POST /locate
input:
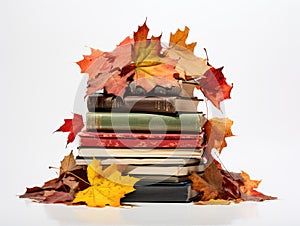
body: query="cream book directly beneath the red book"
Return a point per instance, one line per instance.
(139, 152)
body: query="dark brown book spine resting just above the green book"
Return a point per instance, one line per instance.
(98, 103)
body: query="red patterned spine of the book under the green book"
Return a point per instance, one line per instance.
(131, 143)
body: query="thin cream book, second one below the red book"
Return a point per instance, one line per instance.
(138, 161)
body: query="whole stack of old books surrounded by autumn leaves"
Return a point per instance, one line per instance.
(158, 139)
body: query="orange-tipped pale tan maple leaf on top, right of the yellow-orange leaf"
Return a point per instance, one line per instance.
(187, 64)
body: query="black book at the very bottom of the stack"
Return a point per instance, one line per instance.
(162, 192)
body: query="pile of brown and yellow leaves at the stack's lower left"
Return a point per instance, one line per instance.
(92, 186)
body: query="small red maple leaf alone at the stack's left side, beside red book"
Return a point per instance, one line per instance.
(73, 126)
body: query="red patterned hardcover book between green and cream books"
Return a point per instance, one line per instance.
(102, 139)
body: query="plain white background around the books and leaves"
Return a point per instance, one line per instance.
(256, 41)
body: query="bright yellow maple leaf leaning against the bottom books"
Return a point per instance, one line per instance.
(106, 190)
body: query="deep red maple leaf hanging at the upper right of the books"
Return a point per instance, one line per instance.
(214, 86)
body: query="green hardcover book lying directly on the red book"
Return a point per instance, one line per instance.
(116, 121)
